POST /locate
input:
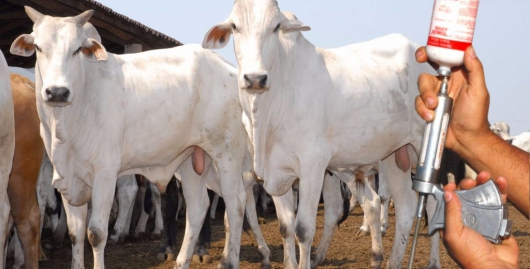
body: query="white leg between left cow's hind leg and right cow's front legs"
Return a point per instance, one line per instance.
(252, 218)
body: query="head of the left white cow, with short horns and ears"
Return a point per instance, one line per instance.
(62, 45)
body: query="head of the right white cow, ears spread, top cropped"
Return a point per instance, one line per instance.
(257, 26)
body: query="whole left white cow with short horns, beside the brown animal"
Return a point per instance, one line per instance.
(105, 115)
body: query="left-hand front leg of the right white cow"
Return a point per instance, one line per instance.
(285, 212)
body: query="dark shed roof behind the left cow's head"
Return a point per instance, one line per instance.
(116, 30)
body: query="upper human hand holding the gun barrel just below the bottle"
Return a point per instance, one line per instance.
(467, 87)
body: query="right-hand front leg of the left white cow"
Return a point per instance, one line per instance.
(97, 231)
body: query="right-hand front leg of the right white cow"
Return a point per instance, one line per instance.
(311, 180)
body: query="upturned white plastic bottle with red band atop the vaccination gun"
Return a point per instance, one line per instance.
(451, 32)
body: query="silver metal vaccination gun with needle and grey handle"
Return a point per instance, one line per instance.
(482, 207)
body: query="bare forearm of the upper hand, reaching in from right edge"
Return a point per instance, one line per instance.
(493, 154)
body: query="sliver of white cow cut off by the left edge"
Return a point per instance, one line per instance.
(7, 149)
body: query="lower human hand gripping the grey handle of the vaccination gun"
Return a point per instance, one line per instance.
(467, 247)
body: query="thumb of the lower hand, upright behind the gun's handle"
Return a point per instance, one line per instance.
(454, 226)
